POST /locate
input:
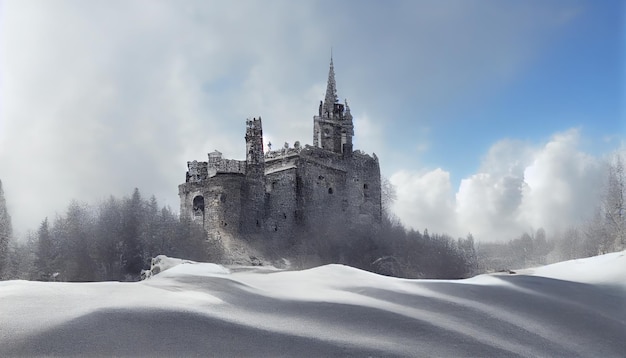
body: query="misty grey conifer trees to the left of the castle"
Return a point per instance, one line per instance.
(113, 240)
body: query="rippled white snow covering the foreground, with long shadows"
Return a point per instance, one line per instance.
(574, 308)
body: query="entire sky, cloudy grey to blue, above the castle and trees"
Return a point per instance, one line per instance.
(490, 117)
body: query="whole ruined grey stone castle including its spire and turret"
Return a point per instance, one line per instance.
(284, 193)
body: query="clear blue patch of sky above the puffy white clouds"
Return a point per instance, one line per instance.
(575, 79)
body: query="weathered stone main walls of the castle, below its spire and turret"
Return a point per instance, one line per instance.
(308, 190)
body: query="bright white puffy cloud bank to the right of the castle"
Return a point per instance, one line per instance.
(519, 188)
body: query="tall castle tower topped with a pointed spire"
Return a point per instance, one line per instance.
(332, 127)
